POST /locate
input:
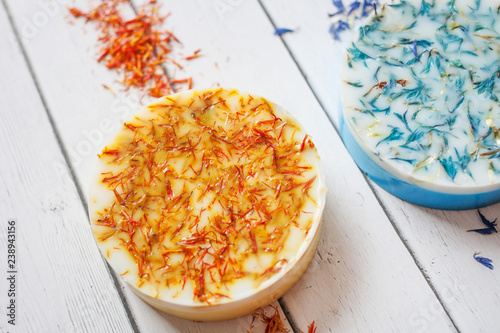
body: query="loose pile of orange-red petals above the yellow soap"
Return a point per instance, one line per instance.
(137, 48)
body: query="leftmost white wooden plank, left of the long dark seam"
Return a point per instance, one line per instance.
(59, 286)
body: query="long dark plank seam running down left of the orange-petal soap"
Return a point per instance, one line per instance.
(123, 298)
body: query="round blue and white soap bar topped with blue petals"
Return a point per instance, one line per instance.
(420, 109)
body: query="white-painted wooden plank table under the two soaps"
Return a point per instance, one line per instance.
(382, 265)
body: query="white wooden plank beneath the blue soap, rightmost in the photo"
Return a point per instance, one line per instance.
(438, 239)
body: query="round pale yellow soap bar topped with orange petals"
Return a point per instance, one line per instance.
(209, 203)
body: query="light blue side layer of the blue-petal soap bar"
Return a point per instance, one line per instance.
(411, 192)
